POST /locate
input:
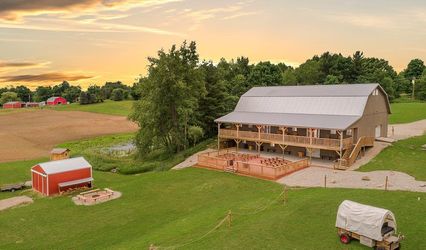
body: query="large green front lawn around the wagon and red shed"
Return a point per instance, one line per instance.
(176, 207)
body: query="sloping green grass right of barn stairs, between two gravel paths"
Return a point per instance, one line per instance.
(406, 156)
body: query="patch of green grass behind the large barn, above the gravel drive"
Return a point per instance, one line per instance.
(407, 112)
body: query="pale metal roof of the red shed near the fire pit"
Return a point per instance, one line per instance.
(53, 167)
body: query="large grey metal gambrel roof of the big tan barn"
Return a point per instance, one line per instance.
(311, 106)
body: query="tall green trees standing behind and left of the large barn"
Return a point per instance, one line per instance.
(181, 95)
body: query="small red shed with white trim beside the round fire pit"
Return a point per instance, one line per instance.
(52, 177)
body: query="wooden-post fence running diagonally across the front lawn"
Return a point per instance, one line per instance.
(228, 218)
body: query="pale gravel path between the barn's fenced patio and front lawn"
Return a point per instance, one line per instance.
(314, 177)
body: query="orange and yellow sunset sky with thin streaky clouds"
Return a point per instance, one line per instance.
(43, 42)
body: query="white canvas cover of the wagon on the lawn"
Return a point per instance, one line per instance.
(362, 219)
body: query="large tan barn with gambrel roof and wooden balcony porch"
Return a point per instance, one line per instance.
(333, 122)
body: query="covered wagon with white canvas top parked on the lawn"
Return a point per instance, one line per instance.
(372, 226)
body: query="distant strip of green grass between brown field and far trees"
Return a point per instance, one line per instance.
(108, 107)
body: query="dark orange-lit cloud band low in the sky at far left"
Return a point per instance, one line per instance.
(46, 77)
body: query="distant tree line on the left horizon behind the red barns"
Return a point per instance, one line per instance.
(116, 91)
